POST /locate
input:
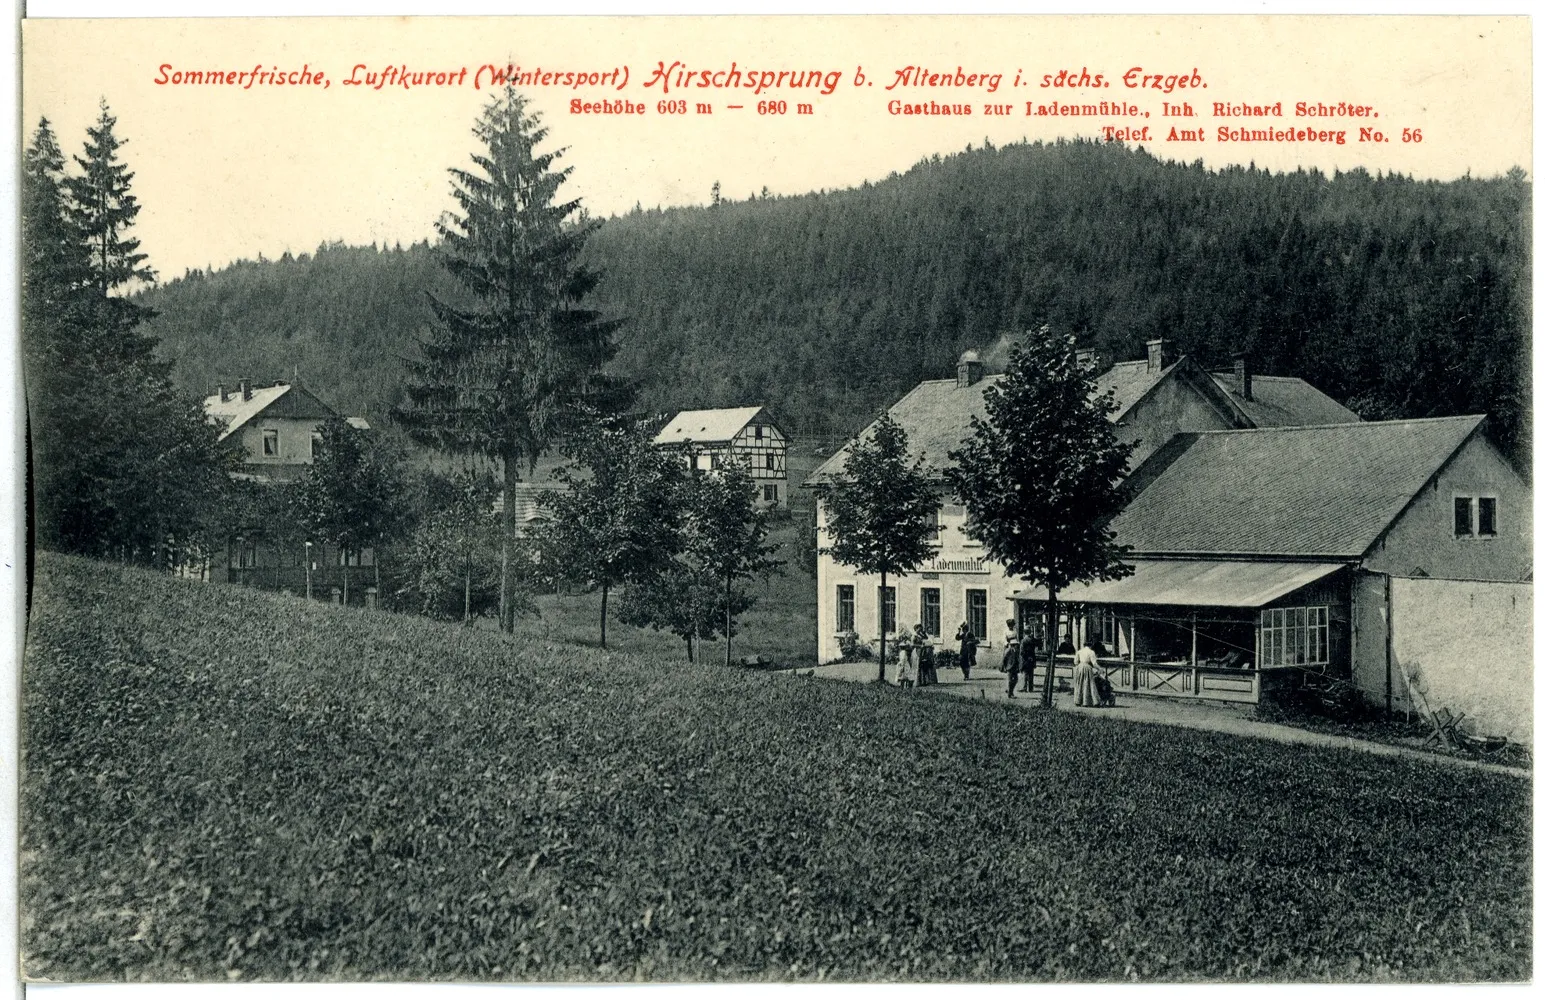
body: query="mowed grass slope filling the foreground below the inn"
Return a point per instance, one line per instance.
(225, 784)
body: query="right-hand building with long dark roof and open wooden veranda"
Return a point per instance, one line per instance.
(1274, 557)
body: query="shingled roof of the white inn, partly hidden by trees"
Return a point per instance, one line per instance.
(937, 415)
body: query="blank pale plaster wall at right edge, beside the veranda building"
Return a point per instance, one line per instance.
(1469, 647)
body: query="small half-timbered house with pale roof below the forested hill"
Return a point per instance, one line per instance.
(749, 435)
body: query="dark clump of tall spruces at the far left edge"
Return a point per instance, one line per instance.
(121, 461)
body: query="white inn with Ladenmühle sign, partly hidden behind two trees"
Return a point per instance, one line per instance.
(1156, 398)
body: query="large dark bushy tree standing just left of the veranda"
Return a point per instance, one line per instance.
(1042, 477)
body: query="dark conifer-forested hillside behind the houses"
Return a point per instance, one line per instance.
(1397, 298)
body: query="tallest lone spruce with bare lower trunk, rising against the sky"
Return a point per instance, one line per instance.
(520, 367)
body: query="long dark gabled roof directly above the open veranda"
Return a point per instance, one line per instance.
(1326, 492)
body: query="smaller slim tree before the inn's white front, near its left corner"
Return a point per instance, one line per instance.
(880, 511)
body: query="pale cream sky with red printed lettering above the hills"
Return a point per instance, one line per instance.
(229, 172)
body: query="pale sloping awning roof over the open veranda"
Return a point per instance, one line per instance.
(1194, 583)
